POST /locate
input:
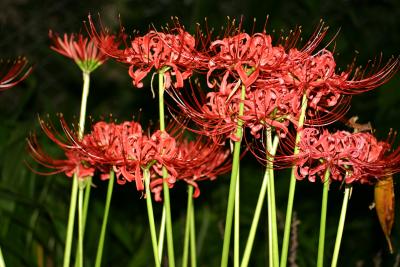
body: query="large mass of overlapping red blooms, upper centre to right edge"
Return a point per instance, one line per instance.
(275, 79)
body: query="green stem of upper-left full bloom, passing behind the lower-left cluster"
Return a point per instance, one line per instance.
(167, 205)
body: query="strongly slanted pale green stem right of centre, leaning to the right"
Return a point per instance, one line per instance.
(257, 212)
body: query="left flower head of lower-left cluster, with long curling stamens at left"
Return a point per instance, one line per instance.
(121, 147)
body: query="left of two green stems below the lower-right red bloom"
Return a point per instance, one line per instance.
(321, 242)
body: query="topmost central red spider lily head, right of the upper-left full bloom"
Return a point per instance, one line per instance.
(244, 57)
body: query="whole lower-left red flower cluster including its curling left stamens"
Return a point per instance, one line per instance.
(127, 150)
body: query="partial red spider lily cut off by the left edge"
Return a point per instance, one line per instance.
(13, 72)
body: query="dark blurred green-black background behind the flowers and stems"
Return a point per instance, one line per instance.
(33, 209)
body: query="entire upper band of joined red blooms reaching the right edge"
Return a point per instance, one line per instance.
(275, 76)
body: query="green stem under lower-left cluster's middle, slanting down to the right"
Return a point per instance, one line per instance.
(150, 213)
